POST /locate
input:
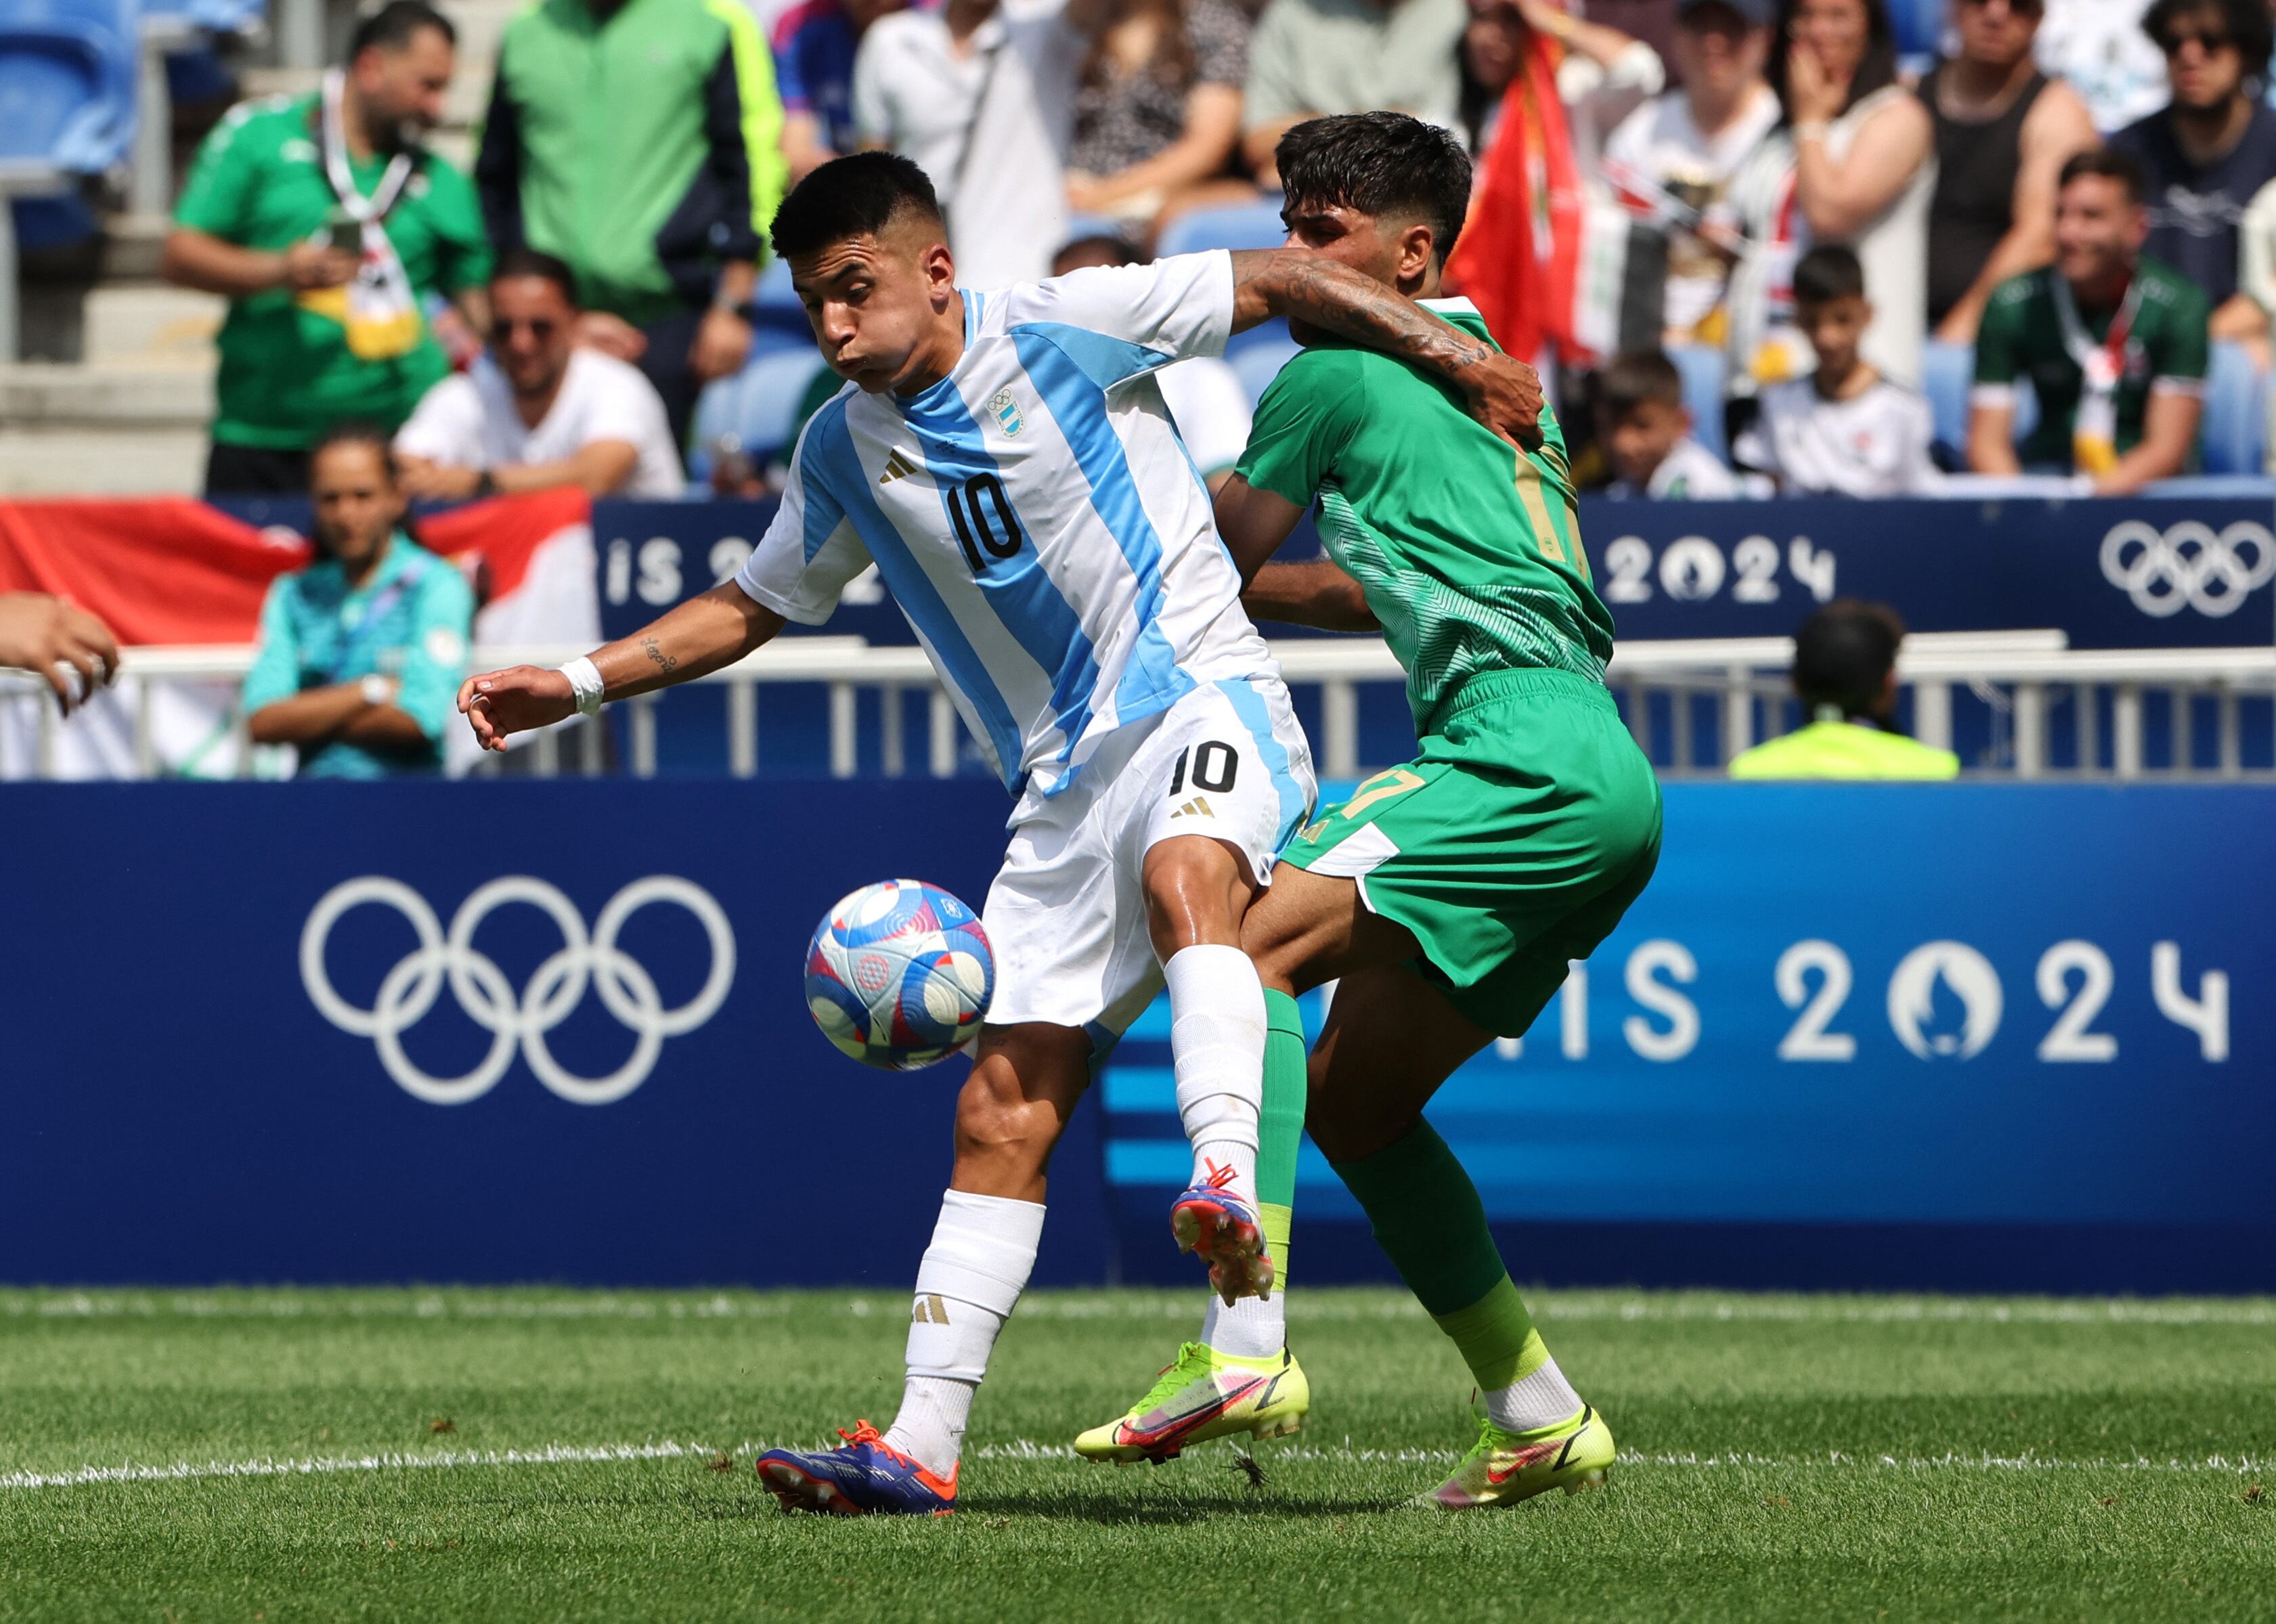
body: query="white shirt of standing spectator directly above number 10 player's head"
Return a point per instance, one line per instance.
(914, 94)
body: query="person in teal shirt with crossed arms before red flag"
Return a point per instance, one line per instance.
(363, 652)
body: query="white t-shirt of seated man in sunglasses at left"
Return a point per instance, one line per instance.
(470, 422)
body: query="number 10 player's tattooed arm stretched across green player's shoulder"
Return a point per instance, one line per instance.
(1269, 283)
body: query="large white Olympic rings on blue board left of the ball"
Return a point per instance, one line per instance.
(556, 988)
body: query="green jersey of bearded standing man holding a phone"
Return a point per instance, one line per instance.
(286, 365)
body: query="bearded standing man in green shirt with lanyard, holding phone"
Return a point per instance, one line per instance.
(331, 231)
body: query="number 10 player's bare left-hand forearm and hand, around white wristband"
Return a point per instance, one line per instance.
(707, 633)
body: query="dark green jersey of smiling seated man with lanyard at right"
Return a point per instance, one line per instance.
(2022, 340)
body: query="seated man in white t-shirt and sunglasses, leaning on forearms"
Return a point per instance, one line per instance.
(536, 411)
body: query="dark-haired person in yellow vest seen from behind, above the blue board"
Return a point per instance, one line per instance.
(1845, 672)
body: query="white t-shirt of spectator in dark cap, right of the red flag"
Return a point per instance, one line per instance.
(1663, 147)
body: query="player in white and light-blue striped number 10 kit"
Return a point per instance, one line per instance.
(1007, 463)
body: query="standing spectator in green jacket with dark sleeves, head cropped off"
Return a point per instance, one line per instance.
(641, 142)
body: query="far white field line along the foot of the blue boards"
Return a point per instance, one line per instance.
(1323, 1307)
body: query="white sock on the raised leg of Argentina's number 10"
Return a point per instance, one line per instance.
(1219, 1054)
